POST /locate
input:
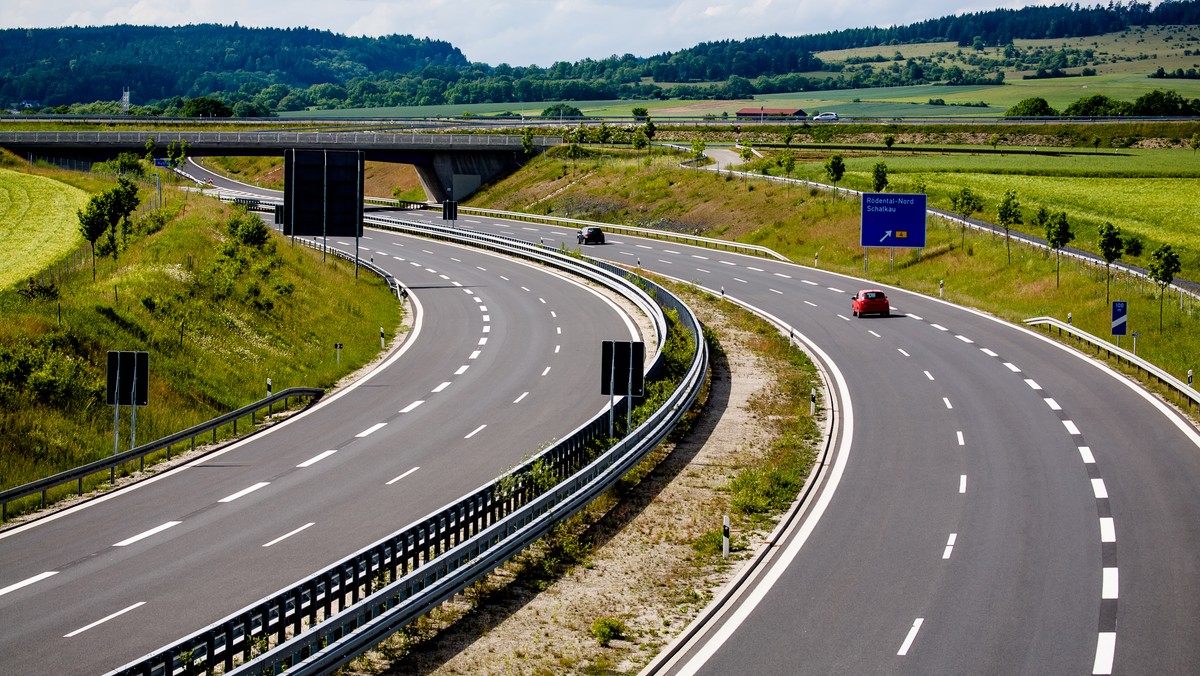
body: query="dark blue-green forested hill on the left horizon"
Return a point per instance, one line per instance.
(68, 65)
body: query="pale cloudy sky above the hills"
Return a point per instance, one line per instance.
(519, 33)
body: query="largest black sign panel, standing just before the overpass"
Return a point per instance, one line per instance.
(323, 193)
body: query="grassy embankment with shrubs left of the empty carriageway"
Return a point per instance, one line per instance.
(218, 316)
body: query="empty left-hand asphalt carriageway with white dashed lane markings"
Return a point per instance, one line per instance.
(502, 358)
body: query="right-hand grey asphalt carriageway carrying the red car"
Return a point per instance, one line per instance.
(997, 504)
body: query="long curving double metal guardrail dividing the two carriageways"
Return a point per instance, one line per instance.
(323, 623)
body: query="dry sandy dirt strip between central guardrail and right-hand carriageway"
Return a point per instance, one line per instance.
(644, 570)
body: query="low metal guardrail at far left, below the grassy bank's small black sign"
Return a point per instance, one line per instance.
(111, 464)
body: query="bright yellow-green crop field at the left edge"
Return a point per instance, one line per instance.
(38, 224)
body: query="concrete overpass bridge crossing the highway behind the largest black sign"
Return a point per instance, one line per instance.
(449, 166)
